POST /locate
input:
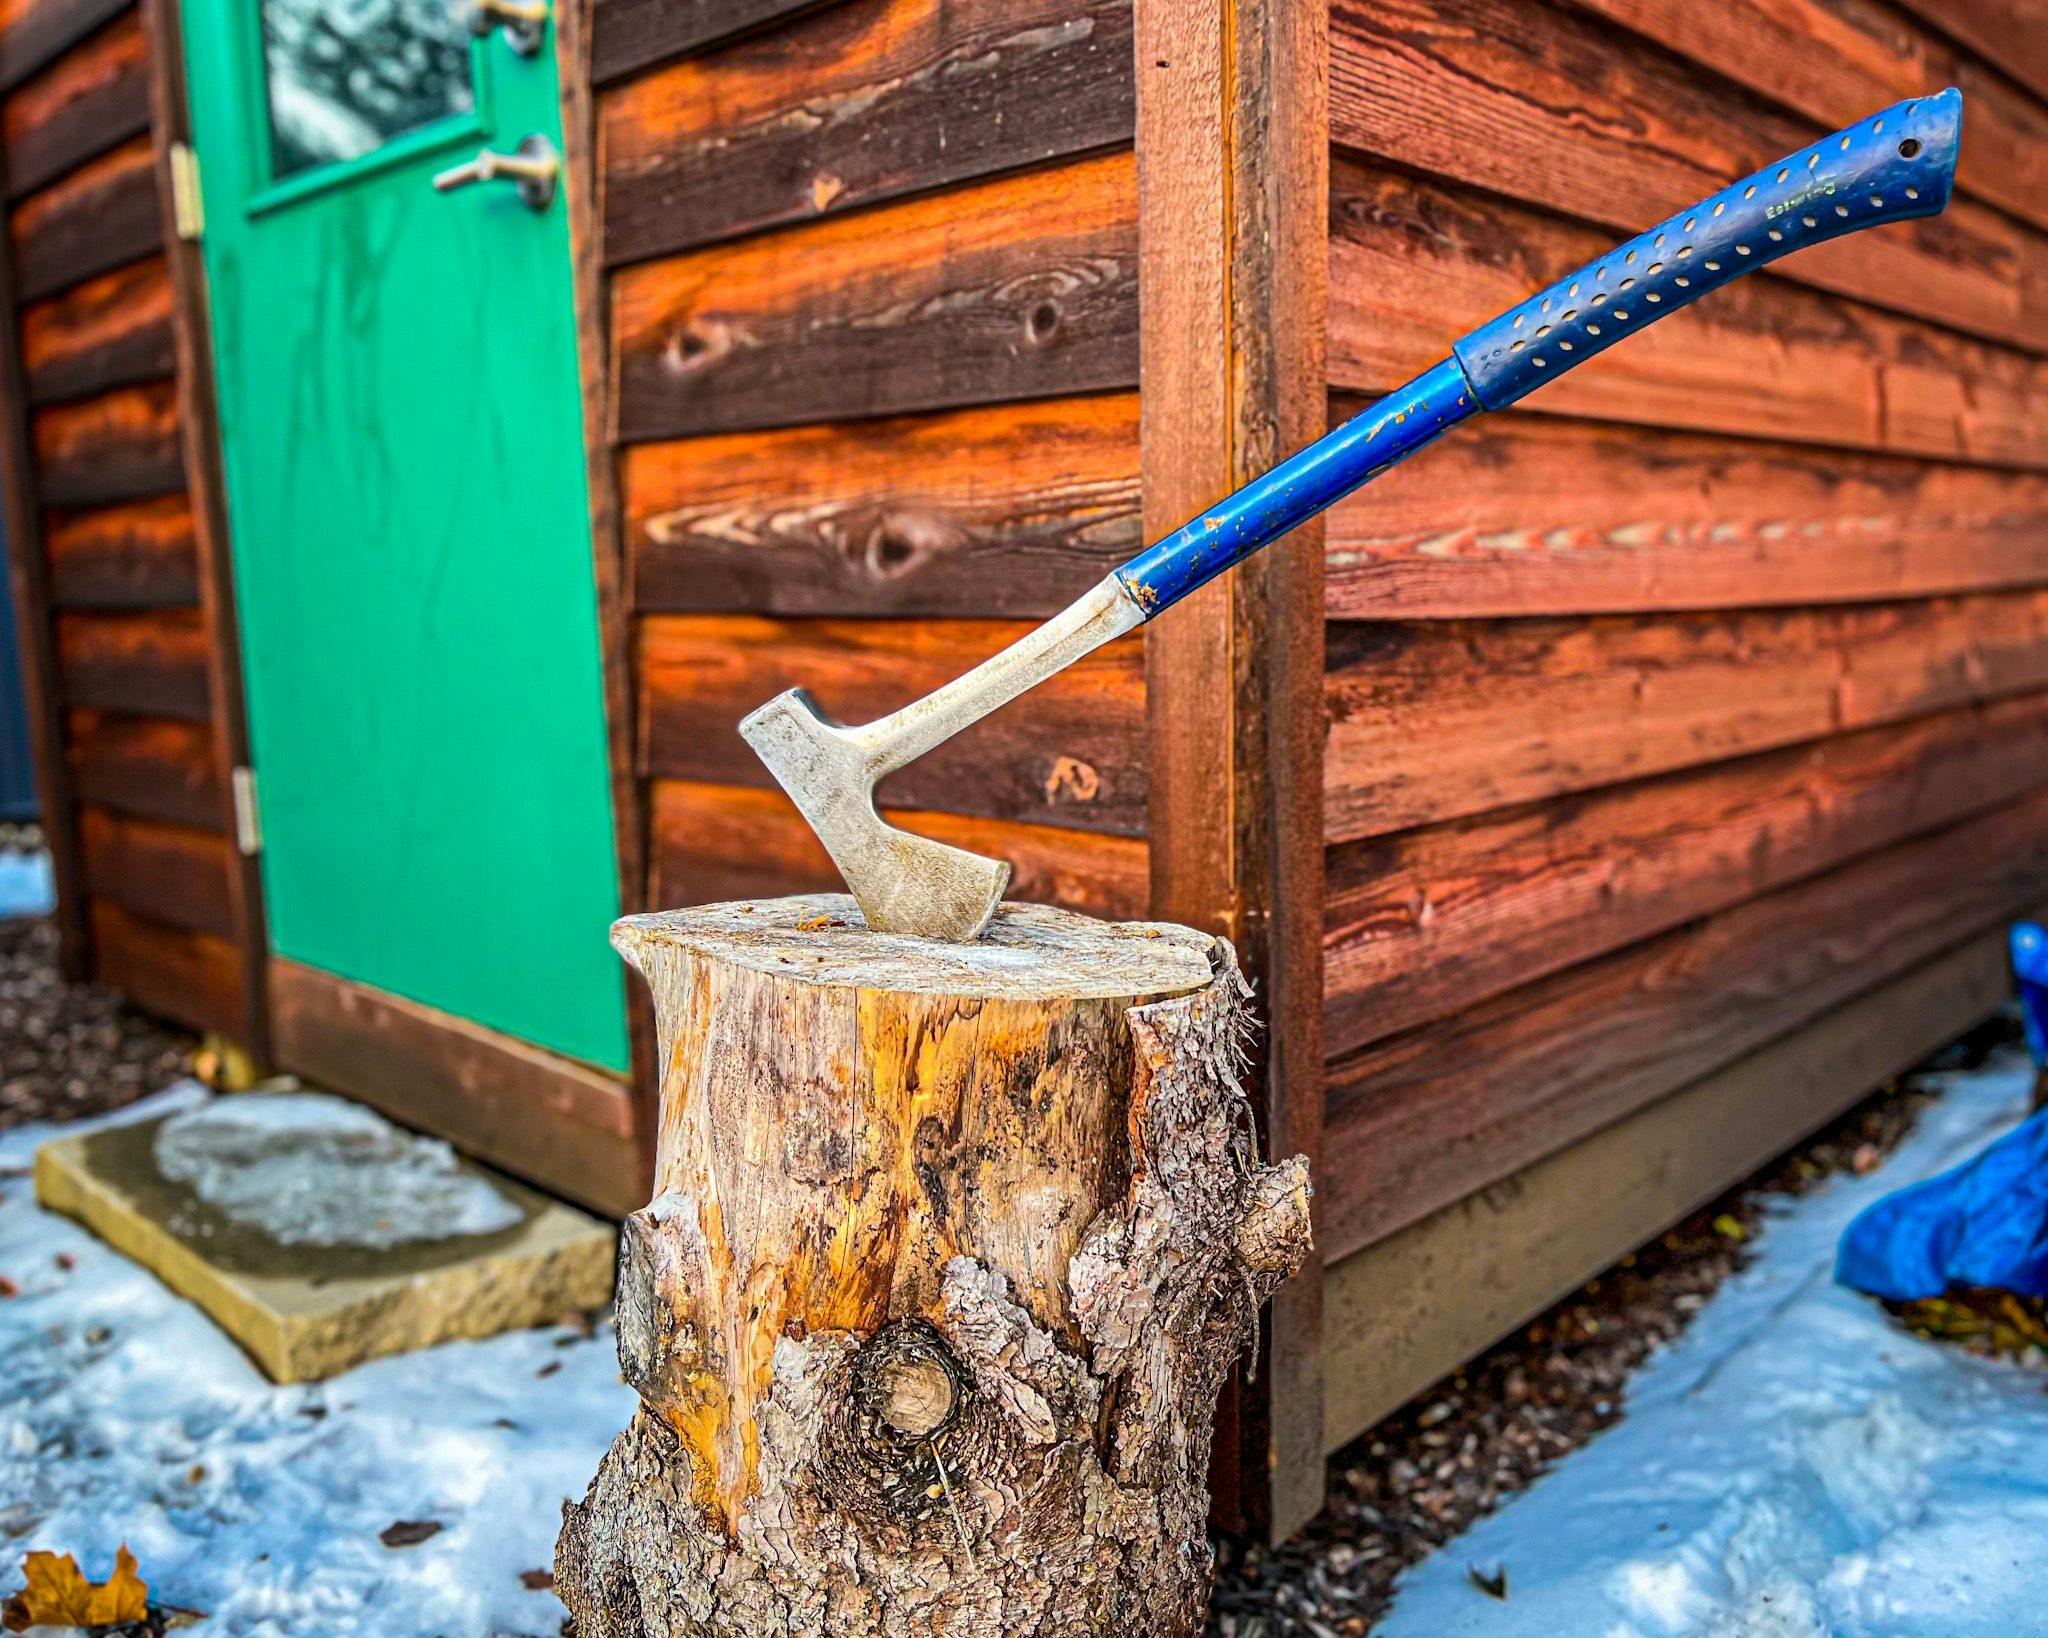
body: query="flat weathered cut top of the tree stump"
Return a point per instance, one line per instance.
(1029, 951)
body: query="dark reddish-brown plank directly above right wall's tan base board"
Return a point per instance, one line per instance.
(1439, 1113)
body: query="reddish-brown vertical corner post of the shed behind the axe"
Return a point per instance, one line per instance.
(1234, 200)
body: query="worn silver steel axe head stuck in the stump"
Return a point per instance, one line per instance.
(904, 883)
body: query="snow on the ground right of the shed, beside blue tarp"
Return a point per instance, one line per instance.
(1793, 1467)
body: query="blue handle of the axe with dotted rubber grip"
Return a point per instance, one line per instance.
(1891, 167)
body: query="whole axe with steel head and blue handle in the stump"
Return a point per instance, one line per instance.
(1895, 165)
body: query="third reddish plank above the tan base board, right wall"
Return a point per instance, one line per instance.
(1439, 720)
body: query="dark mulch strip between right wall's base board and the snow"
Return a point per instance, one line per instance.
(1455, 1453)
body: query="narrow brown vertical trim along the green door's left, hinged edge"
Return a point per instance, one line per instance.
(202, 443)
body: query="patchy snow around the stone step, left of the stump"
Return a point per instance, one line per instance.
(126, 1416)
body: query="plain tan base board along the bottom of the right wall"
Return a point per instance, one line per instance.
(1406, 1311)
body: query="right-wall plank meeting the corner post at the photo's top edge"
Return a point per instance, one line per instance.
(1543, 103)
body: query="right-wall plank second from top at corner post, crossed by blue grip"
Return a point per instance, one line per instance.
(1418, 263)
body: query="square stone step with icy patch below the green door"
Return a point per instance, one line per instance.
(318, 1301)
